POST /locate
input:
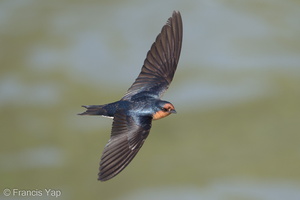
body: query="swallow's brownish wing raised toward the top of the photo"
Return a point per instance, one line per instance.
(161, 61)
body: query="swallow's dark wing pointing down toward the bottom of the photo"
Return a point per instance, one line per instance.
(127, 137)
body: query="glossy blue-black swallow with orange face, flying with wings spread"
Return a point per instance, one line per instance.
(134, 112)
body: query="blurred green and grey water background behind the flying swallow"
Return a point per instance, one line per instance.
(236, 90)
